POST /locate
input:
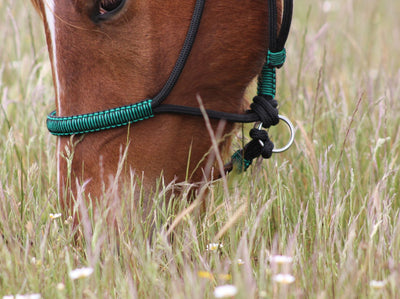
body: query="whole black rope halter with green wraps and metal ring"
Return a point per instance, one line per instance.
(264, 109)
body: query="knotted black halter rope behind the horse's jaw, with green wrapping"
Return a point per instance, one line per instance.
(265, 104)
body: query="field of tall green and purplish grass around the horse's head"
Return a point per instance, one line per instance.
(330, 205)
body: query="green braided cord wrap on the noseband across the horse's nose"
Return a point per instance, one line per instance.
(98, 121)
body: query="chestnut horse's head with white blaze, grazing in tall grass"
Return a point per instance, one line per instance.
(111, 53)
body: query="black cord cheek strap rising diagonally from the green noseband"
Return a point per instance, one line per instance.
(183, 55)
